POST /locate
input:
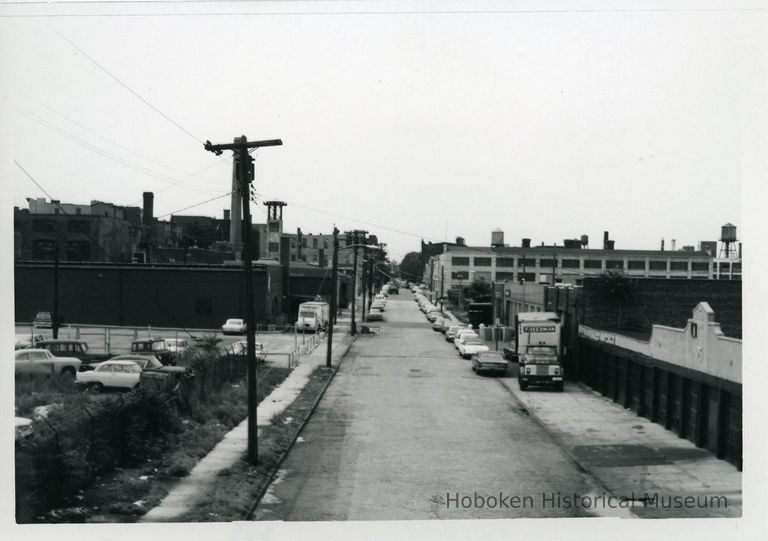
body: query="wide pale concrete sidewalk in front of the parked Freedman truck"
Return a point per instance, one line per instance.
(633, 457)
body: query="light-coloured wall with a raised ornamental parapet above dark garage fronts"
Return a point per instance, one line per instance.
(700, 346)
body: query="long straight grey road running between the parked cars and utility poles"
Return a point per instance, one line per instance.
(407, 431)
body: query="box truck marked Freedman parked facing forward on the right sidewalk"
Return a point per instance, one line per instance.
(538, 349)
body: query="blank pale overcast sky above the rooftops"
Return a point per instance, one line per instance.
(422, 120)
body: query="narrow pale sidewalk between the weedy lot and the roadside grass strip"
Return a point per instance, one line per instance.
(229, 450)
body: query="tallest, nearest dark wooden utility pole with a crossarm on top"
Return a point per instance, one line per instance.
(243, 164)
